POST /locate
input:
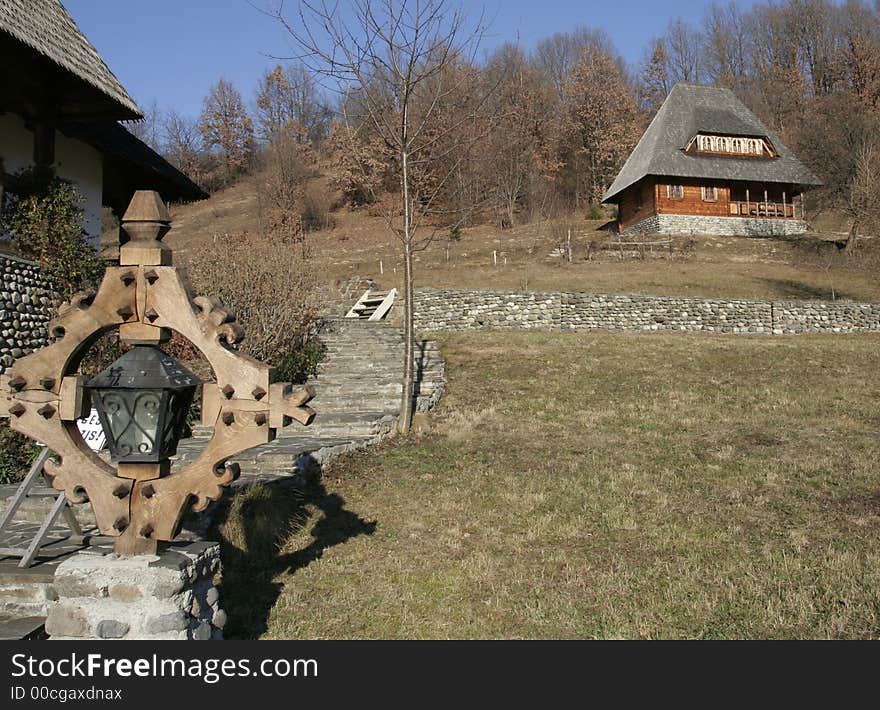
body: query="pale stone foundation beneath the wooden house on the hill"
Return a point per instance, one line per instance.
(685, 225)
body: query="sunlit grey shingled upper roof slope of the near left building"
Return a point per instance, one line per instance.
(45, 26)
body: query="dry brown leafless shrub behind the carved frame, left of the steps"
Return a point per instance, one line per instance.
(272, 291)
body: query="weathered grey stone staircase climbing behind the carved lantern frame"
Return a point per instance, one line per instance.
(357, 399)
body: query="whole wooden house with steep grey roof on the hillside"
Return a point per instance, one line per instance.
(708, 165)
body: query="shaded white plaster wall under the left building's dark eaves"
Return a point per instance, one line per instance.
(75, 161)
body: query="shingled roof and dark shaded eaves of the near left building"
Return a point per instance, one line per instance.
(60, 107)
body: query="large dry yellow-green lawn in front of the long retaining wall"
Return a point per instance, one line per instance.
(590, 486)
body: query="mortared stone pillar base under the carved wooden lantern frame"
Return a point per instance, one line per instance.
(155, 597)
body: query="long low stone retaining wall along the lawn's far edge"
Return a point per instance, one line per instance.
(454, 309)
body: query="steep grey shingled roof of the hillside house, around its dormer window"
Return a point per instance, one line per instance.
(693, 108)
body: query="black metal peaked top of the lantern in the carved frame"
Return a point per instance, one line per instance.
(145, 367)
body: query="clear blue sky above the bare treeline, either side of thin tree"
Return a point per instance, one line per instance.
(174, 50)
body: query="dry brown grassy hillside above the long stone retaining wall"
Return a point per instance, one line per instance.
(811, 267)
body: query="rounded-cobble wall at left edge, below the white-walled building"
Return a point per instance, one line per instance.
(25, 308)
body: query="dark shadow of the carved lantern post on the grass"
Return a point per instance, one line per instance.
(254, 528)
